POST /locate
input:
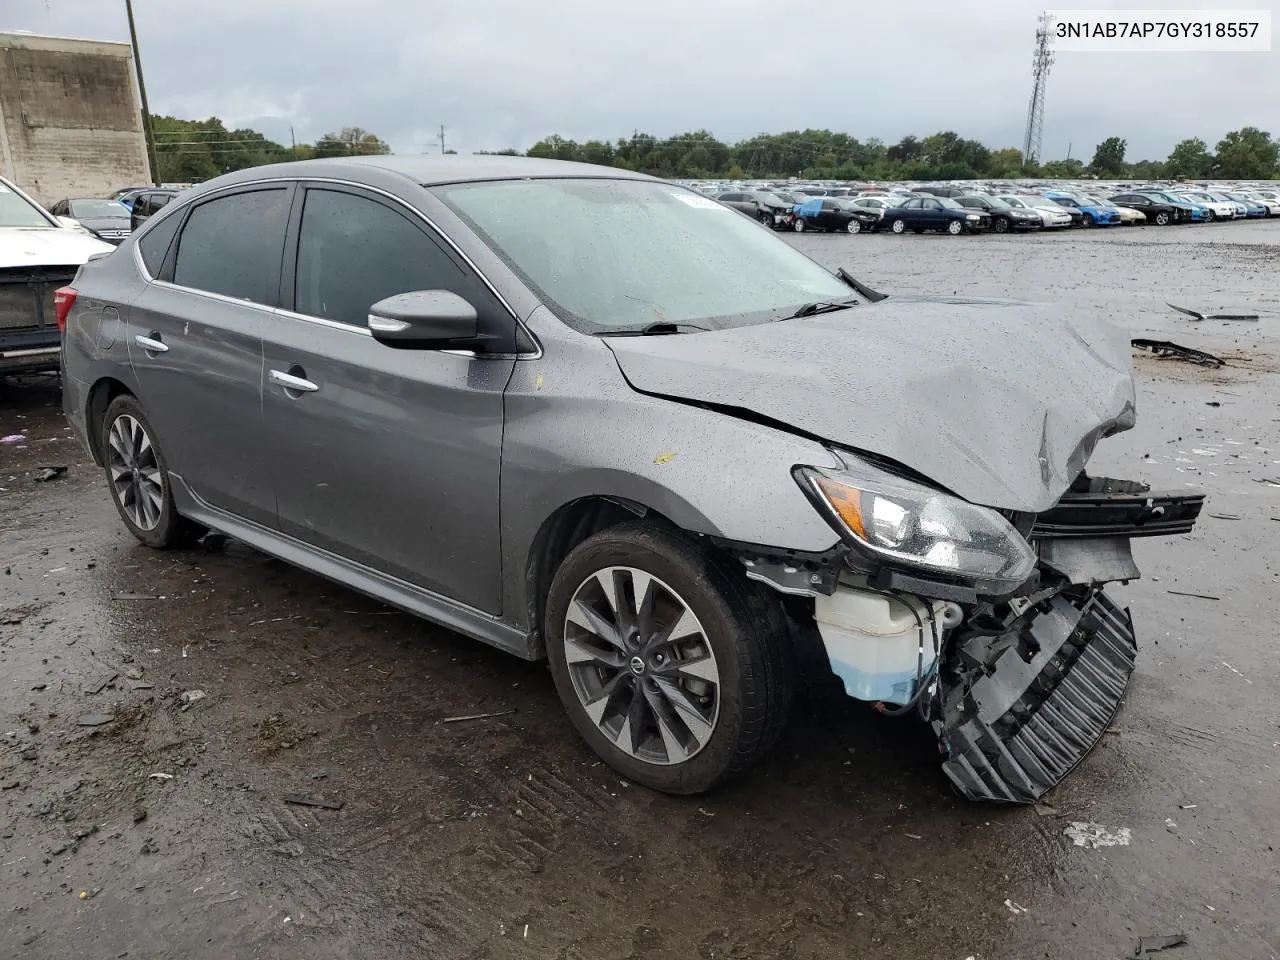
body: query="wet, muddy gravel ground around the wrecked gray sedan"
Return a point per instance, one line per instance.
(166, 831)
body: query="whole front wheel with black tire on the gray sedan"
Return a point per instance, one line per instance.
(673, 666)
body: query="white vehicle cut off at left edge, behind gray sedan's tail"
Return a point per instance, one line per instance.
(39, 254)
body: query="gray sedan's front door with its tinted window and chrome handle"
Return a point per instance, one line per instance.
(383, 456)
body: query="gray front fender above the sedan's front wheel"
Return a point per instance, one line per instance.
(574, 429)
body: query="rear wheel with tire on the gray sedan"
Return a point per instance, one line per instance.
(139, 478)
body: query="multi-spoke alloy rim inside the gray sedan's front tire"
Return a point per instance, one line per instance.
(642, 666)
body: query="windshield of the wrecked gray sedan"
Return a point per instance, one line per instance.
(620, 255)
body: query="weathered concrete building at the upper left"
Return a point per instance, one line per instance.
(71, 124)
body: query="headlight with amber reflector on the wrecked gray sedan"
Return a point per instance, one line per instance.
(921, 527)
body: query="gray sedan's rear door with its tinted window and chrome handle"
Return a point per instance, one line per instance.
(195, 345)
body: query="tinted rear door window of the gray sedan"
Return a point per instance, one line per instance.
(234, 246)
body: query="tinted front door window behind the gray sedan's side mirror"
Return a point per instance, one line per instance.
(354, 252)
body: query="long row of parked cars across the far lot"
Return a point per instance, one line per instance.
(971, 211)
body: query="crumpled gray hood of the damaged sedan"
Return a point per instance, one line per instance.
(999, 403)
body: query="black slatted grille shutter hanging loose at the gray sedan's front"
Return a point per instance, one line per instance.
(1013, 729)
